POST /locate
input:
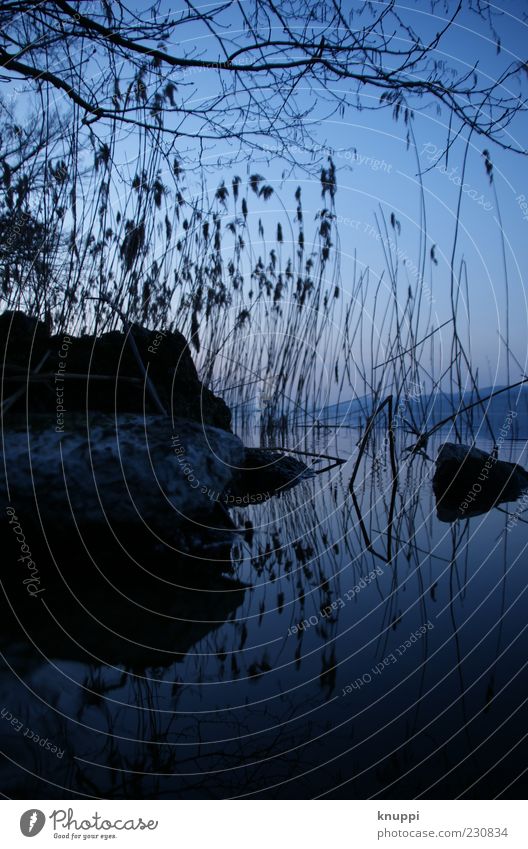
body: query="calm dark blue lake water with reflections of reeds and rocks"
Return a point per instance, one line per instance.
(294, 662)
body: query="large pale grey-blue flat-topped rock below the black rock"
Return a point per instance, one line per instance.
(121, 471)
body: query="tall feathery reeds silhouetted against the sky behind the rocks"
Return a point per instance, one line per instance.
(254, 286)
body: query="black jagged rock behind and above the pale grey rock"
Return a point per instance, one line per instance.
(102, 372)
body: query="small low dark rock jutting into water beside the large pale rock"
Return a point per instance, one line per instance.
(265, 473)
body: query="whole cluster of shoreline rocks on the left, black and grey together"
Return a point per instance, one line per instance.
(86, 446)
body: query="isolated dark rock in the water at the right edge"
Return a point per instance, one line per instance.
(468, 482)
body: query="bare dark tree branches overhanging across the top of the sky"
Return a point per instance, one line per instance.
(259, 52)
